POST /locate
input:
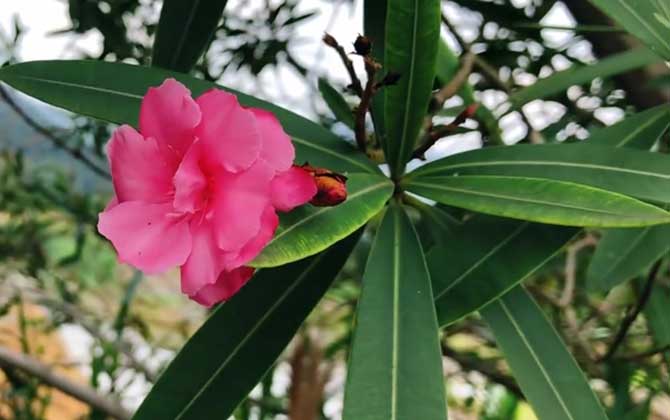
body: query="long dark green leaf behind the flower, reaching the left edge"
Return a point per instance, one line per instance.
(113, 92)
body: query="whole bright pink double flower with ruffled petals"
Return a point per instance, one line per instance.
(198, 187)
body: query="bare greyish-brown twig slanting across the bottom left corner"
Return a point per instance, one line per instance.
(33, 367)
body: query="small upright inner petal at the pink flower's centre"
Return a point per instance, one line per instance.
(190, 182)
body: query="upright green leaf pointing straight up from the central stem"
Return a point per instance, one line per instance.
(412, 36)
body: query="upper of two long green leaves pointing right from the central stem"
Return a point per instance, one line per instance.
(639, 174)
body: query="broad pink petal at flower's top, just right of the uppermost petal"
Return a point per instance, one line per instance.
(229, 133)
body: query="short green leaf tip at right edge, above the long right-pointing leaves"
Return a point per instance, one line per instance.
(639, 131)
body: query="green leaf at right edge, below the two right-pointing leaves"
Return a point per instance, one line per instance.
(622, 254)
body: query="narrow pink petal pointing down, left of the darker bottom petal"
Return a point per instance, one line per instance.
(206, 261)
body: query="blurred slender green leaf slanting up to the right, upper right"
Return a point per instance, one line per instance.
(579, 75)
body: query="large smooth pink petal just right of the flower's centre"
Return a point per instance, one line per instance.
(239, 202)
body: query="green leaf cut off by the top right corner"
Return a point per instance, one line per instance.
(647, 20)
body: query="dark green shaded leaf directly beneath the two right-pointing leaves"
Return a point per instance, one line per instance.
(493, 255)
